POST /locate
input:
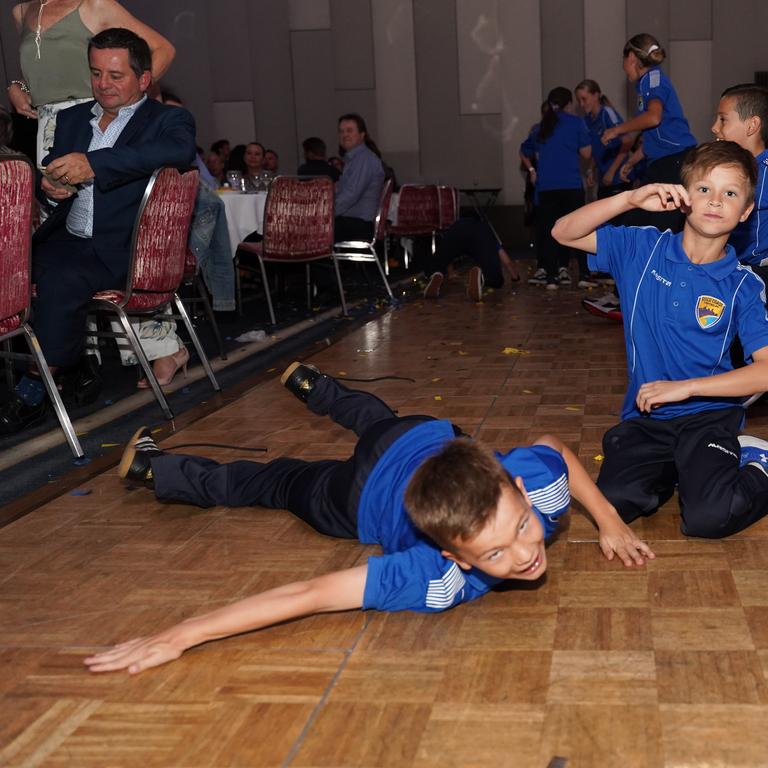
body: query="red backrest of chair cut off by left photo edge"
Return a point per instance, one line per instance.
(17, 188)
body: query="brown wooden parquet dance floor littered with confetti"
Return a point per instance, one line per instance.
(605, 666)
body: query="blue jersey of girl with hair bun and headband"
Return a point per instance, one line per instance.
(673, 134)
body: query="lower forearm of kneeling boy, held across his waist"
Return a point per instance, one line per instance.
(741, 382)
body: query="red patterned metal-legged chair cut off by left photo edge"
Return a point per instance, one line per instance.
(17, 187)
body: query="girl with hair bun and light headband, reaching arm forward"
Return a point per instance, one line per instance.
(665, 131)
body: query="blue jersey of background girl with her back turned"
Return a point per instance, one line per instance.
(558, 165)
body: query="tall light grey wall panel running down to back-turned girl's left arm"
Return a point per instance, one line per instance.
(521, 87)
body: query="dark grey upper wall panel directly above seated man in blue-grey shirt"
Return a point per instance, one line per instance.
(352, 44)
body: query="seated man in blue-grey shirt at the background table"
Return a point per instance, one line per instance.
(358, 191)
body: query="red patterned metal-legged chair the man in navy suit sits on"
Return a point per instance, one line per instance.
(158, 255)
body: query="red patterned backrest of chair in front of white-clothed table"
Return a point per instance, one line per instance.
(298, 219)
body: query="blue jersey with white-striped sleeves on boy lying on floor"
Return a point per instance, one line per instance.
(412, 574)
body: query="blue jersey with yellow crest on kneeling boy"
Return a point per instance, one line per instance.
(680, 318)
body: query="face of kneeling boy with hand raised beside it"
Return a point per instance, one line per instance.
(719, 201)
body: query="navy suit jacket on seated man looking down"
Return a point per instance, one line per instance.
(156, 135)
